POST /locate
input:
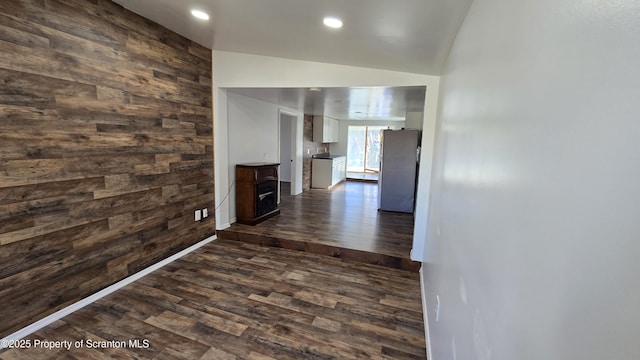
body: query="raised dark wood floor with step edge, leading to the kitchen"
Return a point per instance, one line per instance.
(342, 222)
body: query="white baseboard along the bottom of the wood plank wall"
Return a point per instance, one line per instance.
(30, 329)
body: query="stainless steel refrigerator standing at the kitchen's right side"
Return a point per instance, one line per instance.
(398, 170)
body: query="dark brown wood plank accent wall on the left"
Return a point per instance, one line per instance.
(106, 150)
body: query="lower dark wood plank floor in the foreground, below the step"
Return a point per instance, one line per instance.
(230, 300)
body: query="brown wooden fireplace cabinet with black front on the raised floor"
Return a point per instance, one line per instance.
(256, 192)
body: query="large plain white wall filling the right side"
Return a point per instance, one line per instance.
(534, 240)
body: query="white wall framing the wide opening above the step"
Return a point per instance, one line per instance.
(235, 70)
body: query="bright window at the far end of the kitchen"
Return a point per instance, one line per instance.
(363, 148)
